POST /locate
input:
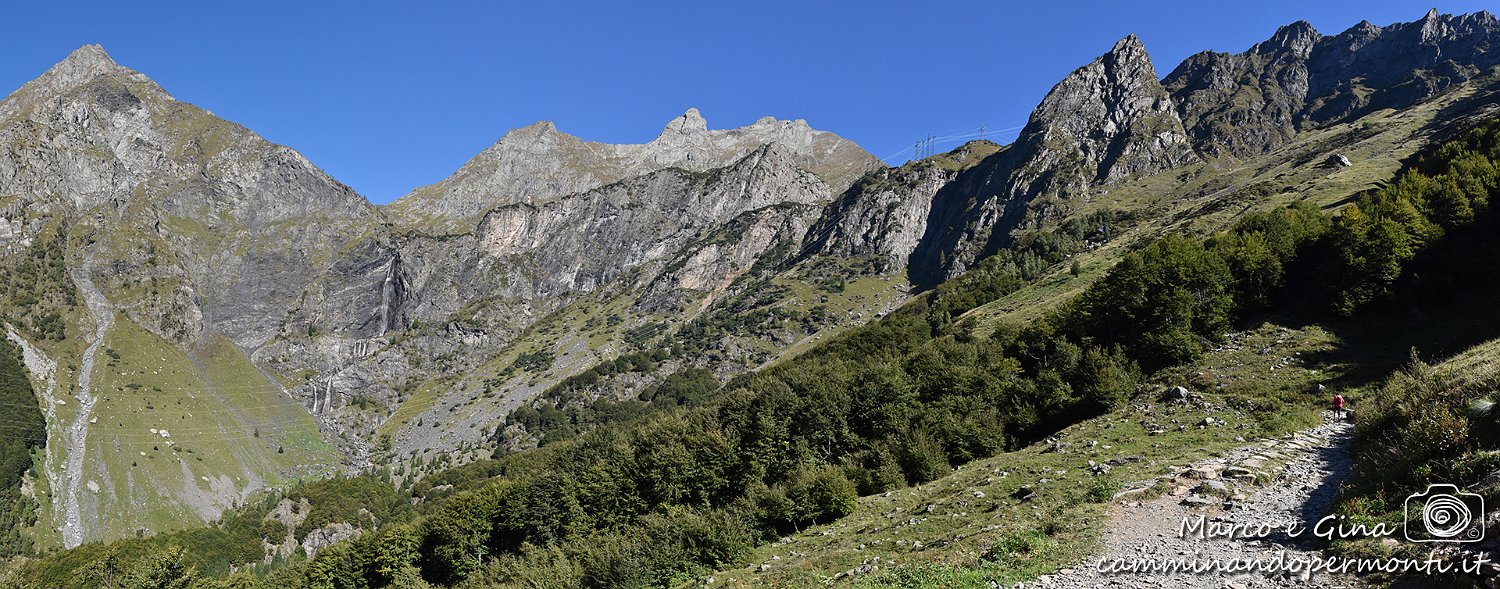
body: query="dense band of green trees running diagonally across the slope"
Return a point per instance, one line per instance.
(688, 479)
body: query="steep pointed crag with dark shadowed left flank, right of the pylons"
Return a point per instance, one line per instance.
(1103, 124)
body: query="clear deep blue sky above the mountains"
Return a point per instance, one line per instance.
(389, 97)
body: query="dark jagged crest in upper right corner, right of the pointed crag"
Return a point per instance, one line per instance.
(1252, 103)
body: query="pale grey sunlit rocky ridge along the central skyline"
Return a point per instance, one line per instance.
(541, 164)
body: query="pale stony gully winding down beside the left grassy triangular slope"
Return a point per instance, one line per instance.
(79, 429)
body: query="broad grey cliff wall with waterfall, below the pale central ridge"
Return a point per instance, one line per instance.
(664, 241)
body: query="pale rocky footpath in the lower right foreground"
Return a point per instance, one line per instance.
(1148, 534)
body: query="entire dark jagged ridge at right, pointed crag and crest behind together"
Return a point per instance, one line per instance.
(1114, 121)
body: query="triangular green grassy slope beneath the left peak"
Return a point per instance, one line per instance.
(229, 434)
